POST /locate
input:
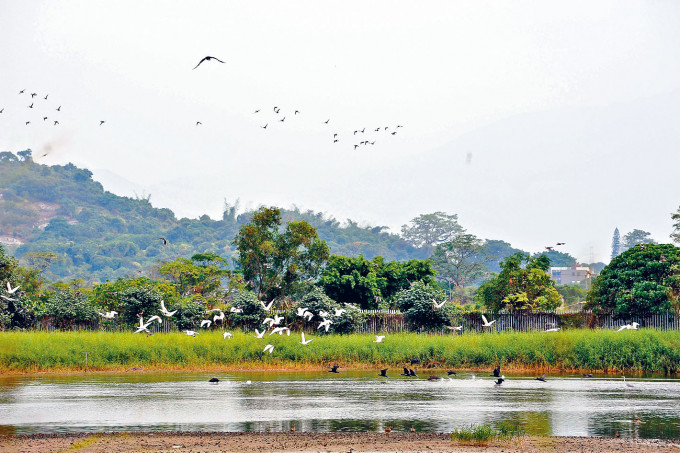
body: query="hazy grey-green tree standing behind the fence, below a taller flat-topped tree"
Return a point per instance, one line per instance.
(458, 260)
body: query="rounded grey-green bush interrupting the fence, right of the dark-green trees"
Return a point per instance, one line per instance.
(416, 303)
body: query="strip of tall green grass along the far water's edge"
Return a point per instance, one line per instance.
(571, 350)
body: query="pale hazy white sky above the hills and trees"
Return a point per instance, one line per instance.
(536, 122)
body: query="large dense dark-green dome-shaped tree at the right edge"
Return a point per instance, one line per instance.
(642, 280)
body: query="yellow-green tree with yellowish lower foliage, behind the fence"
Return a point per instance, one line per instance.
(523, 284)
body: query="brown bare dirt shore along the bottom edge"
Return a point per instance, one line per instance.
(314, 442)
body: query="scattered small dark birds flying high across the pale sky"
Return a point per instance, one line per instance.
(359, 137)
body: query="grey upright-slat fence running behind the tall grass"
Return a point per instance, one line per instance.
(393, 321)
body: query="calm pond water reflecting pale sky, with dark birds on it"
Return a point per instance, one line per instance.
(350, 401)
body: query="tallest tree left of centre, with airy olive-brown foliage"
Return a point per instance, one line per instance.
(275, 261)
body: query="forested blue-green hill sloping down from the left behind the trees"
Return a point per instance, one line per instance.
(98, 235)
